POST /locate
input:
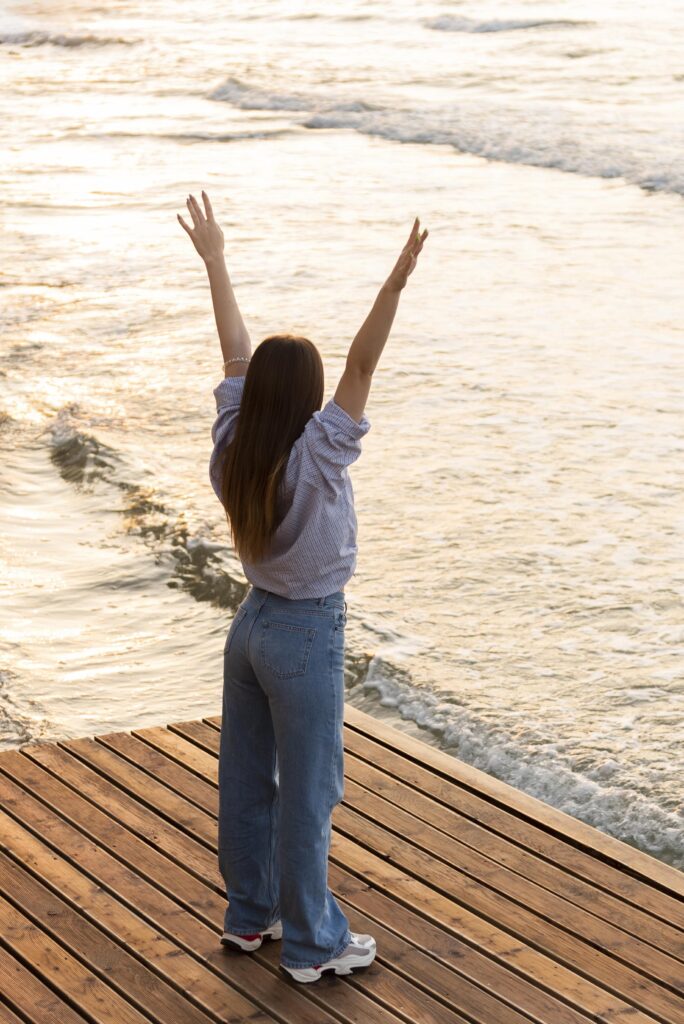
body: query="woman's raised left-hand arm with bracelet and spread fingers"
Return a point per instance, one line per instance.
(207, 238)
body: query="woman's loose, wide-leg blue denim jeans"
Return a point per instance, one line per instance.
(282, 771)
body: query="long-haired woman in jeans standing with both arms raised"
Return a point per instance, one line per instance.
(280, 468)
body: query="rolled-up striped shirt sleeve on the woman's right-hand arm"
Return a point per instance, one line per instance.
(331, 442)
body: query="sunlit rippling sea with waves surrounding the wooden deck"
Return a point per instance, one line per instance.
(519, 600)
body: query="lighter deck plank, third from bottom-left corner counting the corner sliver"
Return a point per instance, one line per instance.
(56, 966)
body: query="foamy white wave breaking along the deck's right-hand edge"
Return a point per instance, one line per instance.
(533, 765)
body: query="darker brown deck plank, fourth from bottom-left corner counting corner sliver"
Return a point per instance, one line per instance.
(101, 955)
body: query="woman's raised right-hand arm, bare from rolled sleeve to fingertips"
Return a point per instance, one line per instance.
(366, 350)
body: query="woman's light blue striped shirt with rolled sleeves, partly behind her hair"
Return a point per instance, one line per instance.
(314, 550)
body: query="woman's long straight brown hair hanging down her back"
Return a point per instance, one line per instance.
(283, 388)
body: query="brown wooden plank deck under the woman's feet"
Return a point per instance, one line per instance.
(487, 905)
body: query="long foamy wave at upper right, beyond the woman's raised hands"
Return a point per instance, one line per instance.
(546, 139)
